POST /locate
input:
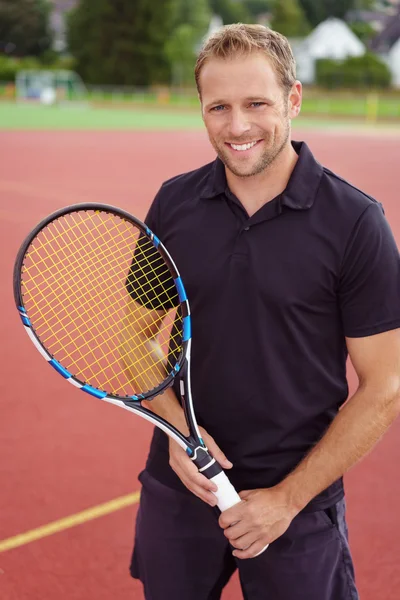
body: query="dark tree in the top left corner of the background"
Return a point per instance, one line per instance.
(24, 27)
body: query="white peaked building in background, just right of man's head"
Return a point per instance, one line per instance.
(331, 39)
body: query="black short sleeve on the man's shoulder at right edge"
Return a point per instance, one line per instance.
(369, 288)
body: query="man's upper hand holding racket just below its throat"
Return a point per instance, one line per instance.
(188, 473)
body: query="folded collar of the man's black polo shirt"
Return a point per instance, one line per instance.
(300, 191)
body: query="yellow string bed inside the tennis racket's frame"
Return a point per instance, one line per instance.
(75, 278)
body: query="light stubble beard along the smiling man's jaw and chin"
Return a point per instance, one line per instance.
(267, 158)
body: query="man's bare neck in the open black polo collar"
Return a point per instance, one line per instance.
(256, 190)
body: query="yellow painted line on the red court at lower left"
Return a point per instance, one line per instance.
(77, 519)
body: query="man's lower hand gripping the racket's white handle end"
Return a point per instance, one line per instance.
(261, 517)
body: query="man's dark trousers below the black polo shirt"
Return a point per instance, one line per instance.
(180, 553)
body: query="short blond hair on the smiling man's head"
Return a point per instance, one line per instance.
(240, 39)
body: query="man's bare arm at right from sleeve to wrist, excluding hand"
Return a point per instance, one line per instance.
(361, 422)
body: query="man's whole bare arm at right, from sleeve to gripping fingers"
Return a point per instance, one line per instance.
(266, 514)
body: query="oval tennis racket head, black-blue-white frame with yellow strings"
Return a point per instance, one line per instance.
(74, 276)
